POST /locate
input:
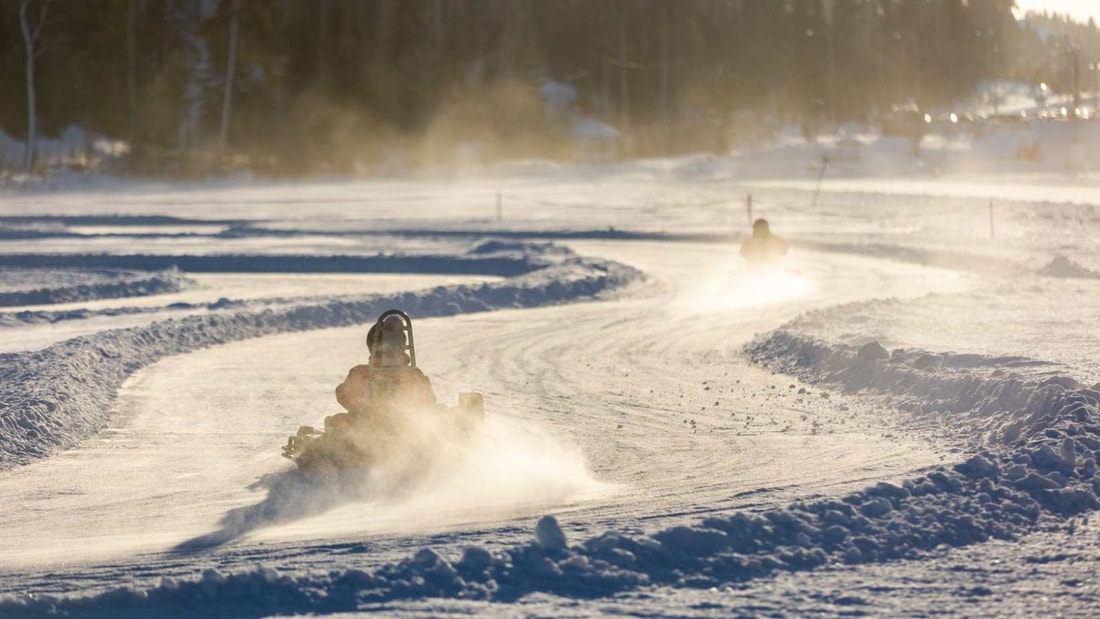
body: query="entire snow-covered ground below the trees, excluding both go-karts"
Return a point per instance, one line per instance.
(651, 407)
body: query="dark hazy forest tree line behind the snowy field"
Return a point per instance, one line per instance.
(303, 86)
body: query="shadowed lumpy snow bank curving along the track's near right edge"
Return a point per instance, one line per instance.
(1035, 459)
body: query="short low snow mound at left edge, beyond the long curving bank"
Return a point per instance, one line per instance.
(86, 285)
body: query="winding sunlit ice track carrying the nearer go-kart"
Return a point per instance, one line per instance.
(636, 414)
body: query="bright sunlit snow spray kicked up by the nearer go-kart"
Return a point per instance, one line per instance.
(452, 482)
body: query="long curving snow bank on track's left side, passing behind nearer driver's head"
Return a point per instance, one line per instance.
(53, 399)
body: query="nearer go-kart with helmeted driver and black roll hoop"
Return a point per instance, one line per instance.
(390, 432)
